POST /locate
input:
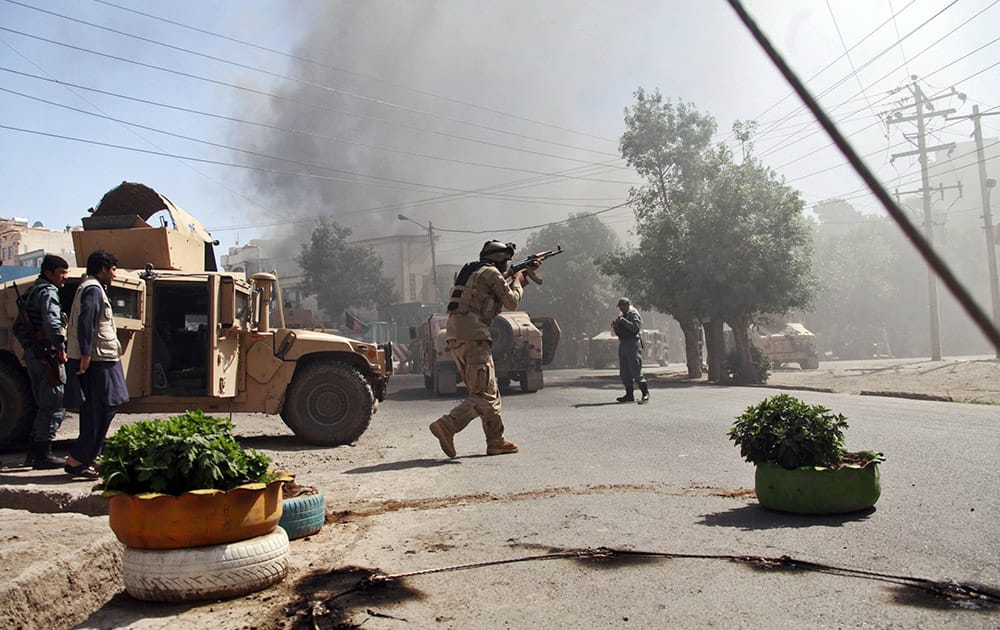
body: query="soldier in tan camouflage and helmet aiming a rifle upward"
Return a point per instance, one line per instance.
(481, 291)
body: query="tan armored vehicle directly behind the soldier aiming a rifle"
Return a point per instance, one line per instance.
(521, 346)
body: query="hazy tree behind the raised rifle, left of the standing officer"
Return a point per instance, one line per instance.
(575, 290)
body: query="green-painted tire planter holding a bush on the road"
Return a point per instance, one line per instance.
(816, 489)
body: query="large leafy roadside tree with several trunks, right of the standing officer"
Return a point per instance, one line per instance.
(719, 241)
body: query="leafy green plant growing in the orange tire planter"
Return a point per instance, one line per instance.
(192, 451)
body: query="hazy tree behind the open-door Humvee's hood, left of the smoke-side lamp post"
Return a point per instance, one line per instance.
(342, 275)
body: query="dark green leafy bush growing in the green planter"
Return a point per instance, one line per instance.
(786, 431)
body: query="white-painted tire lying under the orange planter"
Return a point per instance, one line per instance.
(210, 572)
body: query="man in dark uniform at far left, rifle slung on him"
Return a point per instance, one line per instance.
(41, 302)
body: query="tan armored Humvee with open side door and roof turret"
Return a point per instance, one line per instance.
(194, 337)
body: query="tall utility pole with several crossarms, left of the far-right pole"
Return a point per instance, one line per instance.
(925, 110)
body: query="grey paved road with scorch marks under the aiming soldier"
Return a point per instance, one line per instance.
(593, 473)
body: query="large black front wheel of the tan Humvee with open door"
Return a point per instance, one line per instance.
(328, 403)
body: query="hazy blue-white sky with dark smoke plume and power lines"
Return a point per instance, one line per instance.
(257, 116)
